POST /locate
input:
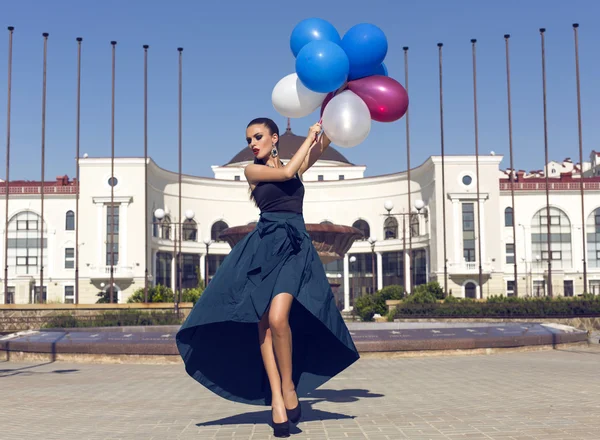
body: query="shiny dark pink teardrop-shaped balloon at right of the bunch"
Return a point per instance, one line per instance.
(385, 97)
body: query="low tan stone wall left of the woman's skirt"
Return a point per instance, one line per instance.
(18, 317)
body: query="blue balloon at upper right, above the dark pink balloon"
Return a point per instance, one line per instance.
(366, 47)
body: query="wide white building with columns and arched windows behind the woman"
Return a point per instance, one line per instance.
(336, 192)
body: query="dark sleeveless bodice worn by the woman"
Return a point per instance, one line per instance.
(286, 196)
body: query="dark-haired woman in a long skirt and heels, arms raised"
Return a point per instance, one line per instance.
(266, 329)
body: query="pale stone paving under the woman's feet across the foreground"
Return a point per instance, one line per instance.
(548, 395)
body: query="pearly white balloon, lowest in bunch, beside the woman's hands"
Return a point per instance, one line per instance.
(346, 120)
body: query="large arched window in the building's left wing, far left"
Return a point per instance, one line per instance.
(24, 240)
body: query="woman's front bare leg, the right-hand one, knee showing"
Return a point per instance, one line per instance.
(282, 342)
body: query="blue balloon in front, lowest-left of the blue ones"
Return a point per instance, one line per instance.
(322, 66)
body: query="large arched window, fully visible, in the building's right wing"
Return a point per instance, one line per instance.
(560, 238)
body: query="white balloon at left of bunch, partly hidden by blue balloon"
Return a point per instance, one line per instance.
(292, 99)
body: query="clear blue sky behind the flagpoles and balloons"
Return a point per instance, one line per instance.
(235, 52)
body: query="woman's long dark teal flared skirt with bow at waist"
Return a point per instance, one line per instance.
(219, 339)
